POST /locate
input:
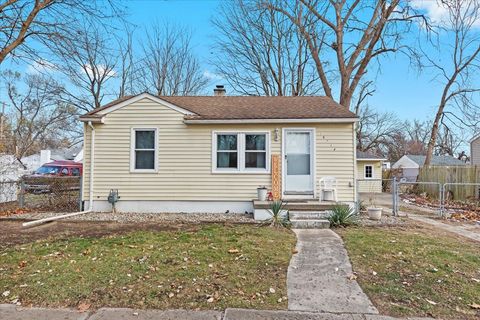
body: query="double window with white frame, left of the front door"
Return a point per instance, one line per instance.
(241, 152)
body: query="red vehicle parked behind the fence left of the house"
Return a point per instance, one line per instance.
(54, 176)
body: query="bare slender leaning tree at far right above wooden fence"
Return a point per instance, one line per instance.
(462, 65)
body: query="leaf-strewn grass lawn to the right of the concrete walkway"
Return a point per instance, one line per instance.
(416, 271)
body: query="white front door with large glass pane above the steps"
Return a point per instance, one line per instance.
(298, 150)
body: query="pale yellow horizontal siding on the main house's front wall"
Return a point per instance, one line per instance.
(185, 157)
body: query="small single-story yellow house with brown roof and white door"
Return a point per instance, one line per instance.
(211, 153)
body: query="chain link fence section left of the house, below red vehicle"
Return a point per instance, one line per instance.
(40, 194)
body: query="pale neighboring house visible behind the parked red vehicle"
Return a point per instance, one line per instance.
(35, 161)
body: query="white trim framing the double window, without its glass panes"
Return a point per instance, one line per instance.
(241, 153)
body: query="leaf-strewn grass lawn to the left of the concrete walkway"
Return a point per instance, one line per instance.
(210, 267)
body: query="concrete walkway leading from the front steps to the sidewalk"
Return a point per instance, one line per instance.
(318, 276)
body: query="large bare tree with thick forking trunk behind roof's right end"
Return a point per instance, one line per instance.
(346, 37)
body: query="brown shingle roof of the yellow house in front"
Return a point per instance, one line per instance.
(253, 107)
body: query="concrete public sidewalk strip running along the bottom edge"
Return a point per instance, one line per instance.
(11, 312)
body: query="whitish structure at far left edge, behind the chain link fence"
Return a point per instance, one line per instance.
(10, 172)
